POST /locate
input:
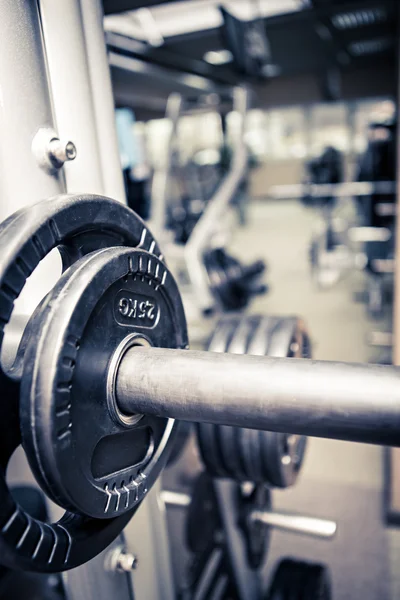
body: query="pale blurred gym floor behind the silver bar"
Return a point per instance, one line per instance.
(341, 481)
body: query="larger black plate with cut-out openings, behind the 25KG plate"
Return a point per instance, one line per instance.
(76, 225)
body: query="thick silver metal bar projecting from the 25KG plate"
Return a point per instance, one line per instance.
(347, 401)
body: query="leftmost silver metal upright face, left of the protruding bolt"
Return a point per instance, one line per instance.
(25, 109)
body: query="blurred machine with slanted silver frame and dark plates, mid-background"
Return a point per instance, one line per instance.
(201, 222)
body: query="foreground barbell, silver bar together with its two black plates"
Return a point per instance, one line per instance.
(103, 368)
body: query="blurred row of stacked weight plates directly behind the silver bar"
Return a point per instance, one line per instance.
(248, 454)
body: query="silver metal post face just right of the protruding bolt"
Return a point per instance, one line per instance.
(71, 91)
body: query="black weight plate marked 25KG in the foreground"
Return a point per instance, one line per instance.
(85, 459)
